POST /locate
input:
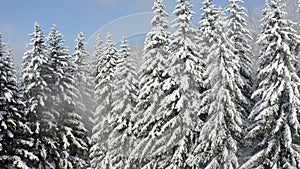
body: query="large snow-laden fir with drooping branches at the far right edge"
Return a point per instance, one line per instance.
(275, 115)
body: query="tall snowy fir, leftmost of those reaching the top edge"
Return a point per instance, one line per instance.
(152, 76)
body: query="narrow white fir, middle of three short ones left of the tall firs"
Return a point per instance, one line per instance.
(104, 98)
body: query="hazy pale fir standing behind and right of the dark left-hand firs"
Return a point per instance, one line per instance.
(84, 82)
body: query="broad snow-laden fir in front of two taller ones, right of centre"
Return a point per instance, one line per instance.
(217, 145)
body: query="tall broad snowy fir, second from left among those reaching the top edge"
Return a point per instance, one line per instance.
(177, 119)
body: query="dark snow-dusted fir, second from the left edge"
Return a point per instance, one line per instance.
(35, 78)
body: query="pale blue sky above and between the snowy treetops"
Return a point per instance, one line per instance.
(72, 16)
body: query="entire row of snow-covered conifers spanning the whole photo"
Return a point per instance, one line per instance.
(201, 100)
